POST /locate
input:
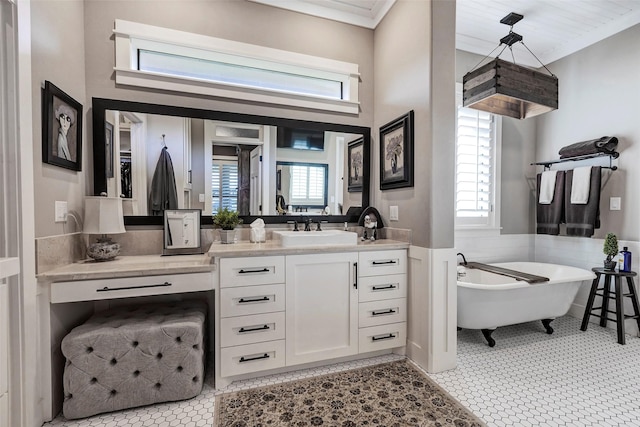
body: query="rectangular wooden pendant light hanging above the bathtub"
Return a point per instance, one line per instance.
(509, 89)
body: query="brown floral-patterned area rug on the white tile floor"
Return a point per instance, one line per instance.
(391, 394)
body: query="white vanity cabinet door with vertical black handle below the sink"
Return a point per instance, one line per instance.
(322, 307)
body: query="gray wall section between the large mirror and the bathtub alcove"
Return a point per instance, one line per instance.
(405, 45)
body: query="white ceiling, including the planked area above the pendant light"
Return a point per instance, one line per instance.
(551, 29)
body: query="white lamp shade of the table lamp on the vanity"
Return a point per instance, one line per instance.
(103, 215)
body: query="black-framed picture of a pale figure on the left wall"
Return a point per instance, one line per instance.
(58, 148)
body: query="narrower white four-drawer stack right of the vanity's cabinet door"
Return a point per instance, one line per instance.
(382, 310)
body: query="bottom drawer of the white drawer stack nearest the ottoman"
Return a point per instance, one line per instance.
(244, 359)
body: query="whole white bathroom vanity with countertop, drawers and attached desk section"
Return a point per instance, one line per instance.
(271, 308)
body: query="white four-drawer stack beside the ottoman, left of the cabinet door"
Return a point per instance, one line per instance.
(252, 318)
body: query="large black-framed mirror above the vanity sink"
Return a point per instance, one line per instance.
(223, 159)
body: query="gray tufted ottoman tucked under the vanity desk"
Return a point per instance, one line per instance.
(134, 356)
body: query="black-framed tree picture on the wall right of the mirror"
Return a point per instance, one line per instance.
(396, 153)
